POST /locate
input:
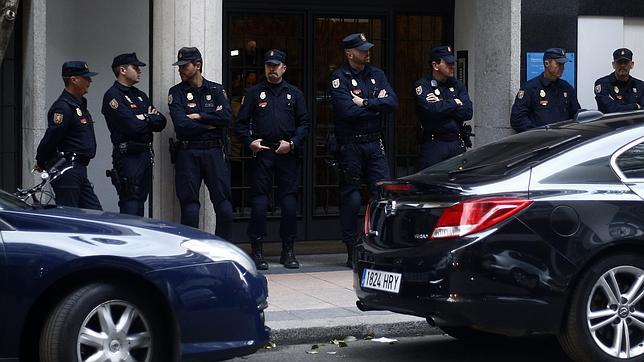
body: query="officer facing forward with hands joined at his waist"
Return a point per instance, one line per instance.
(273, 123)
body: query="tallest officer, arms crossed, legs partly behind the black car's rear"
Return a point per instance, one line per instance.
(360, 95)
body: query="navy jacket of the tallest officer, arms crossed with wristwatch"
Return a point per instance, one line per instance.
(351, 119)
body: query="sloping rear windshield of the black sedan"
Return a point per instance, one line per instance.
(511, 152)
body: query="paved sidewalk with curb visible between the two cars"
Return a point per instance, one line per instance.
(316, 303)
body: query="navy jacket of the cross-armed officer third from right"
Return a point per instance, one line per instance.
(445, 115)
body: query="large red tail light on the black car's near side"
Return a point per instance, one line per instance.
(471, 216)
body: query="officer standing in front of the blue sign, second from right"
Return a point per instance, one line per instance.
(547, 98)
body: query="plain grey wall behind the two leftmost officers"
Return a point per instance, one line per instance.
(95, 31)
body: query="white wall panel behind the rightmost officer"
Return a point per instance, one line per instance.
(597, 38)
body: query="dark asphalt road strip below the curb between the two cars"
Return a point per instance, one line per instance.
(426, 348)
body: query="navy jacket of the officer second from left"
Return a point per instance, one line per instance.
(126, 113)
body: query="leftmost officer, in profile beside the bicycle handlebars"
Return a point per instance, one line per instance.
(71, 131)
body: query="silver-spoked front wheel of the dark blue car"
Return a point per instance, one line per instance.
(104, 322)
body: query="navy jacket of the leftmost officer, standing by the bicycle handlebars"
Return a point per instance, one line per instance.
(70, 128)
